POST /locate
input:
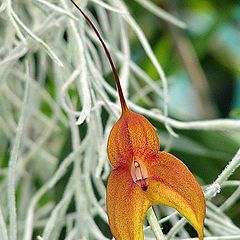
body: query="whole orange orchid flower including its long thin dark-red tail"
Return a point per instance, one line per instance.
(142, 175)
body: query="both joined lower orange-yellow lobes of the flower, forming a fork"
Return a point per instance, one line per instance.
(169, 183)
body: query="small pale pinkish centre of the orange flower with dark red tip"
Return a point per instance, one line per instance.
(139, 174)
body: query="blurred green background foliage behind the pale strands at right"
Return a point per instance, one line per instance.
(213, 38)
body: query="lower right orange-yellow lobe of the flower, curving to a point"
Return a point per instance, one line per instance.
(172, 184)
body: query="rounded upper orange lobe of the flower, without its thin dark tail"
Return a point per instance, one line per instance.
(131, 133)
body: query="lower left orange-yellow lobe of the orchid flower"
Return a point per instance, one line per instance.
(126, 206)
